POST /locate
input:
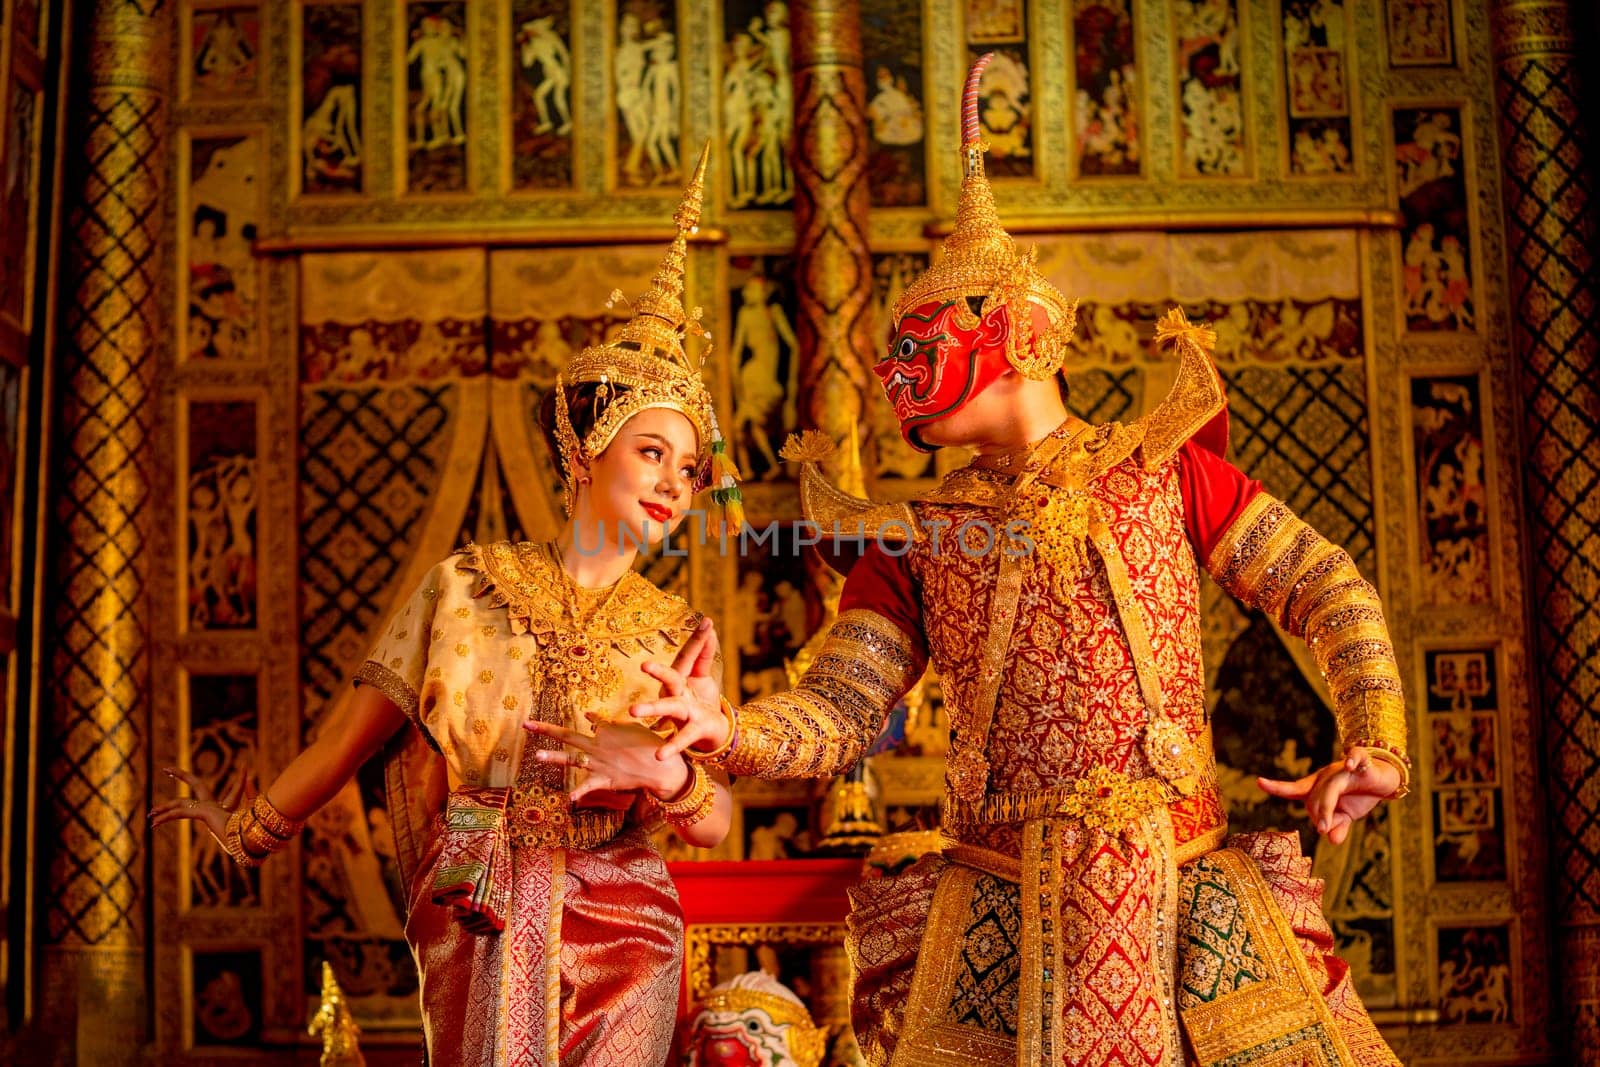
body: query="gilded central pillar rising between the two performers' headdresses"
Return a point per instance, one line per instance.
(834, 265)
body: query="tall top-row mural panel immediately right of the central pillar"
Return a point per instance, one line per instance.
(894, 57)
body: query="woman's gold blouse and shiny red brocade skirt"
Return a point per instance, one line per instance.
(545, 935)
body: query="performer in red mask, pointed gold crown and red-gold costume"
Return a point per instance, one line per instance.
(1089, 906)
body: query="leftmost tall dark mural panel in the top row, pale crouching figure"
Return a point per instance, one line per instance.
(332, 122)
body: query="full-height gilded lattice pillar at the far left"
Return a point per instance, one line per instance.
(95, 783)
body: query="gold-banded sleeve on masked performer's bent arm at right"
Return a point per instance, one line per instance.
(1274, 562)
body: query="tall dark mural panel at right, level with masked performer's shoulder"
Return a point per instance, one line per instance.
(1449, 447)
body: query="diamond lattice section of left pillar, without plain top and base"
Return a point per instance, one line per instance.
(95, 780)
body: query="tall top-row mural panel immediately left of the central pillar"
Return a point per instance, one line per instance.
(758, 103)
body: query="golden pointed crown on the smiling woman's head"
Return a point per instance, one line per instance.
(647, 356)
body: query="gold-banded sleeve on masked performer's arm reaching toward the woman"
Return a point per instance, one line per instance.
(825, 725)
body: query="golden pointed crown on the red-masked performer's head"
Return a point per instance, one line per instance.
(980, 260)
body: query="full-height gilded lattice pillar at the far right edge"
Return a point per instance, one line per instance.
(1548, 170)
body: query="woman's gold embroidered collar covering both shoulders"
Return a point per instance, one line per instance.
(522, 580)
